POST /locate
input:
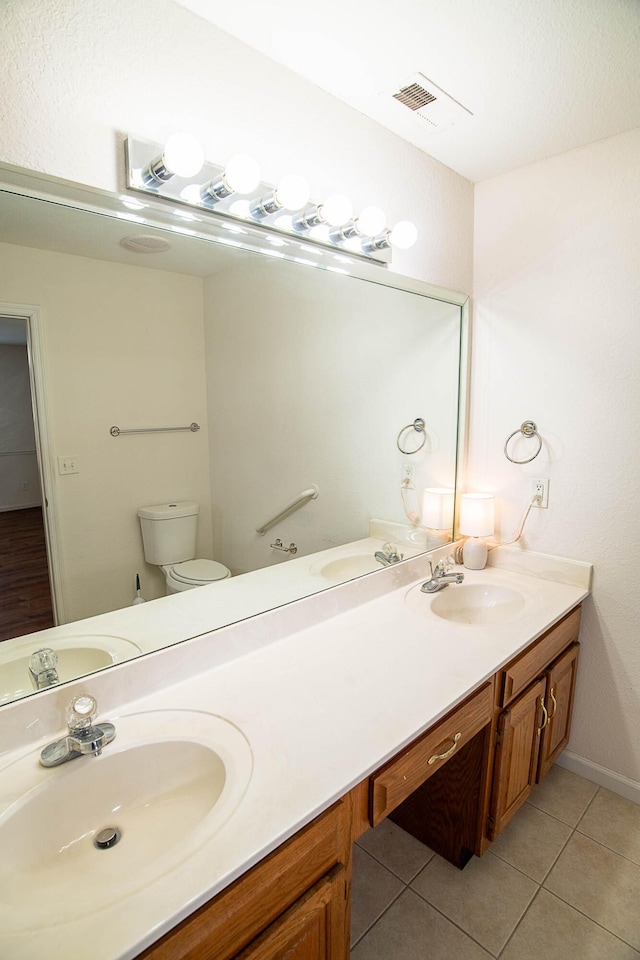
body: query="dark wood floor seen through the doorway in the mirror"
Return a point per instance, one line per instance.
(25, 594)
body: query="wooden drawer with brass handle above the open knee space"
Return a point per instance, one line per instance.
(393, 783)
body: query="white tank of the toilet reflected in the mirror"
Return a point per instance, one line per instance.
(169, 531)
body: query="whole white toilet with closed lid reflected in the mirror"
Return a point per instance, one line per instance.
(169, 539)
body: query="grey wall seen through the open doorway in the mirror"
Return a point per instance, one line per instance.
(19, 480)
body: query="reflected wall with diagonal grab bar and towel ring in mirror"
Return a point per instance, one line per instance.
(311, 376)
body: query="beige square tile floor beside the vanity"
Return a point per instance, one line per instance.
(562, 882)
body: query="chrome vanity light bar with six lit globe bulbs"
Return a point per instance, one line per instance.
(178, 172)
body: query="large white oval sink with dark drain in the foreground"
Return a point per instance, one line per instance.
(168, 782)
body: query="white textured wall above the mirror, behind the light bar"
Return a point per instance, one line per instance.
(79, 74)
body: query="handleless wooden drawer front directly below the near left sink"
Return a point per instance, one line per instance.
(225, 925)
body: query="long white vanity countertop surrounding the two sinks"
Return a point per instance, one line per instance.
(321, 708)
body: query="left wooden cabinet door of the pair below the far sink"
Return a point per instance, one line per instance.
(516, 756)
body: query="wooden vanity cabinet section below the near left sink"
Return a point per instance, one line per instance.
(294, 903)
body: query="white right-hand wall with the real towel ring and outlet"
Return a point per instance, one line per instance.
(557, 340)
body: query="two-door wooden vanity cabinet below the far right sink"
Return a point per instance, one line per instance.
(533, 718)
